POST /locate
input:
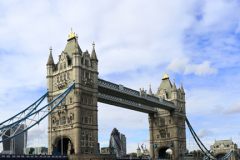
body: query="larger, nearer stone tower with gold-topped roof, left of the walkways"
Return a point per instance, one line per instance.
(74, 123)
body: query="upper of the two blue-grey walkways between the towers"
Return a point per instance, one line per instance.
(137, 94)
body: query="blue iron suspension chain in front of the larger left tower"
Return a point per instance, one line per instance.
(64, 94)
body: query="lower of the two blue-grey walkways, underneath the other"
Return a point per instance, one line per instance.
(126, 102)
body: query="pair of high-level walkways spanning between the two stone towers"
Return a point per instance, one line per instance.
(118, 95)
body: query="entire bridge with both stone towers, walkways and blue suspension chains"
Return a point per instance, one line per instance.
(74, 89)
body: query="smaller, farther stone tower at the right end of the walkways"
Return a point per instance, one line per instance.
(167, 128)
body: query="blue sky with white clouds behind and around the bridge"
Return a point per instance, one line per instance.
(194, 41)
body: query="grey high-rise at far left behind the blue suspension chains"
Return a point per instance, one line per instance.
(15, 145)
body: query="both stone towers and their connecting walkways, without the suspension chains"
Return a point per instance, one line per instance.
(166, 108)
